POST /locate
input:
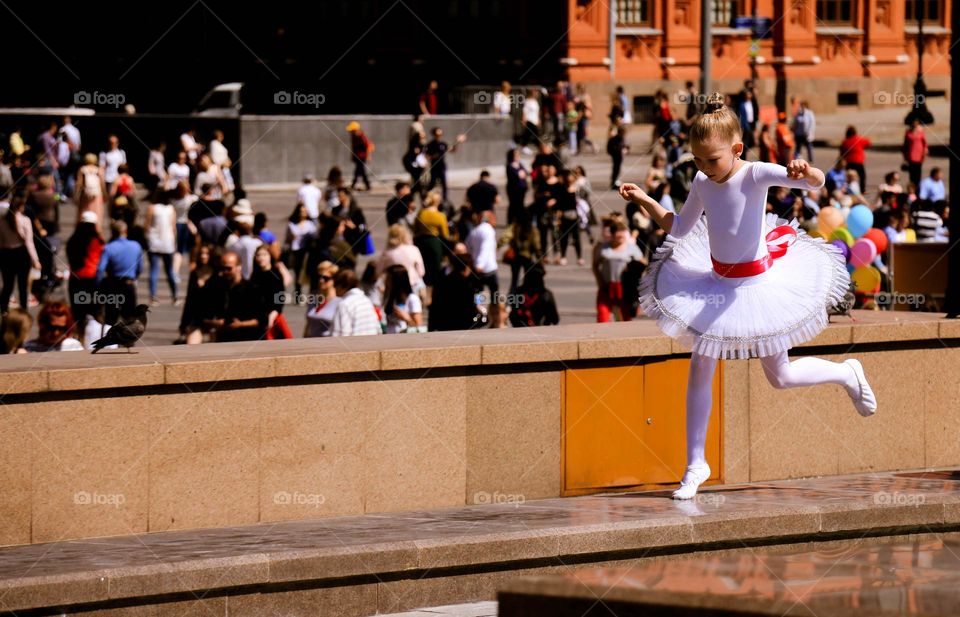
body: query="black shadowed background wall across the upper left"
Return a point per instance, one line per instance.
(364, 56)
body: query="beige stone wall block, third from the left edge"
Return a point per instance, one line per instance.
(204, 450)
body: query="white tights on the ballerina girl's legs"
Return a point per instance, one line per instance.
(780, 372)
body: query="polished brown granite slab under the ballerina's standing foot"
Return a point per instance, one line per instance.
(502, 536)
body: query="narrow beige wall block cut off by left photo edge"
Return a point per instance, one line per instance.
(16, 481)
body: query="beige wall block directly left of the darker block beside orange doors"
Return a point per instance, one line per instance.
(414, 444)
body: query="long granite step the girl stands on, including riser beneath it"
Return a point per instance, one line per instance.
(364, 565)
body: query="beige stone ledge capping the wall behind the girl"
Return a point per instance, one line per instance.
(230, 362)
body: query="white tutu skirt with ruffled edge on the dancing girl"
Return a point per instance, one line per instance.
(748, 317)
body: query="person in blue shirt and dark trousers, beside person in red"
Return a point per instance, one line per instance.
(117, 274)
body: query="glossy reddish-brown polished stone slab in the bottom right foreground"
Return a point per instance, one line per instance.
(869, 577)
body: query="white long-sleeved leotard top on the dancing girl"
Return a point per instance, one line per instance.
(735, 210)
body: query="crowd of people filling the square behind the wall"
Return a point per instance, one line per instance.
(439, 268)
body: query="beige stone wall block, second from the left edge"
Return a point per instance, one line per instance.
(90, 468)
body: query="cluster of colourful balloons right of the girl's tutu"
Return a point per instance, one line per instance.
(858, 240)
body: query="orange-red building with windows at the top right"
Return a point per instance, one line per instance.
(831, 52)
